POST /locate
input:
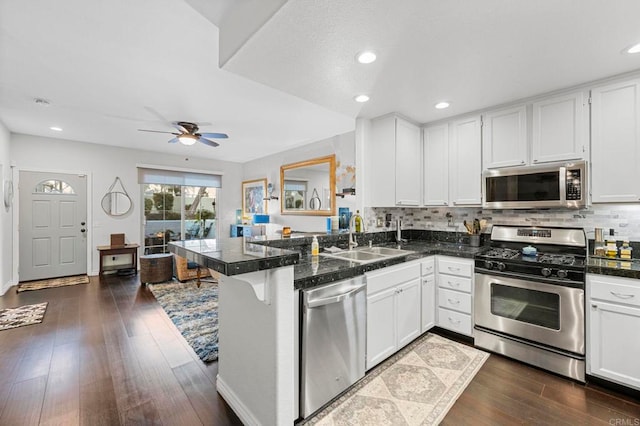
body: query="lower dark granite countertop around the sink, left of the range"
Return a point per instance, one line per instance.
(311, 272)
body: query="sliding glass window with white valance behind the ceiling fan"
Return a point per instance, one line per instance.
(182, 211)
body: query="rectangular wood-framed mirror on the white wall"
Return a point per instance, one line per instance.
(308, 187)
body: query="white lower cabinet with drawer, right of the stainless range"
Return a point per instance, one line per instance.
(613, 319)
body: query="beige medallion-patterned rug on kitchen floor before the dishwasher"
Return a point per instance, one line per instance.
(417, 386)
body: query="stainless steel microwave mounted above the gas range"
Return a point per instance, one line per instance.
(554, 185)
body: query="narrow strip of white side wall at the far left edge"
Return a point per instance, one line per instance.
(6, 214)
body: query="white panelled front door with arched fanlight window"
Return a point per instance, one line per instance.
(52, 225)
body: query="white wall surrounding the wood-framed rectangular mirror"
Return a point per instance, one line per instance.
(341, 145)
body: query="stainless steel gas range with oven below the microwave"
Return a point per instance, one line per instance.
(529, 297)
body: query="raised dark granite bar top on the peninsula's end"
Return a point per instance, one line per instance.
(233, 256)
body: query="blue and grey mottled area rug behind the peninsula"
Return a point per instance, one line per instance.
(194, 311)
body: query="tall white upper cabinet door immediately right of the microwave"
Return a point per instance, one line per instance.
(615, 142)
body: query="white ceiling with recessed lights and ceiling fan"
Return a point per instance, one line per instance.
(106, 66)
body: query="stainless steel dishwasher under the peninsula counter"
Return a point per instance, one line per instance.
(333, 343)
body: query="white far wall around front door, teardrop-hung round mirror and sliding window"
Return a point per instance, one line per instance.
(102, 164)
